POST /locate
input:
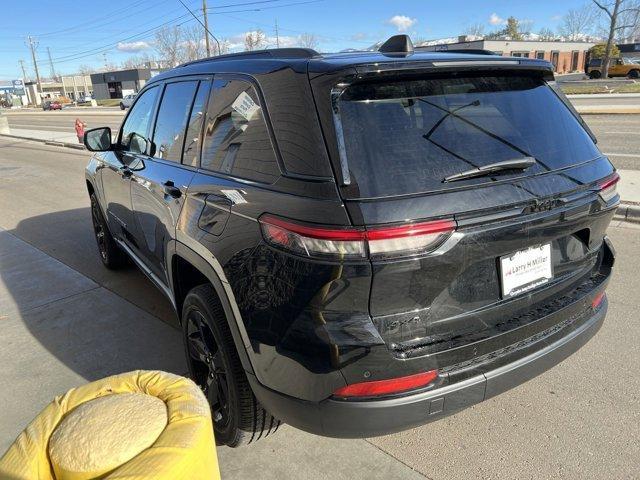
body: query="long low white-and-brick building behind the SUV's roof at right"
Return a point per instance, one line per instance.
(566, 57)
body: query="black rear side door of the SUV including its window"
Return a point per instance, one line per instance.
(159, 184)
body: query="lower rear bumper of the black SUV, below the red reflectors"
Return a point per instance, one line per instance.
(354, 419)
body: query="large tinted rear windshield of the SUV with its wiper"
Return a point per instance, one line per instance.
(405, 137)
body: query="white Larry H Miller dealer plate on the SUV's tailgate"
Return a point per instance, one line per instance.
(525, 270)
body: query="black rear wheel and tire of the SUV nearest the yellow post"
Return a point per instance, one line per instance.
(238, 417)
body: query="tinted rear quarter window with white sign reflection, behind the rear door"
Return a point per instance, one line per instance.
(237, 141)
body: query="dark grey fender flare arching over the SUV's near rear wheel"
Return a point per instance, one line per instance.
(222, 289)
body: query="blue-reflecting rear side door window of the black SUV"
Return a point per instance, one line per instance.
(173, 114)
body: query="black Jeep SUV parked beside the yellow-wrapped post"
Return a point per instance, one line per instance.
(359, 243)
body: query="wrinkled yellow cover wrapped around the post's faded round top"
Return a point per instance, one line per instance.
(184, 450)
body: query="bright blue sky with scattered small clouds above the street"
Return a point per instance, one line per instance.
(79, 32)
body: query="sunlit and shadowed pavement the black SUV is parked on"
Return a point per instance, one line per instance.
(65, 320)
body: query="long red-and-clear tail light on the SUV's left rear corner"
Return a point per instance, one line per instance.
(355, 243)
